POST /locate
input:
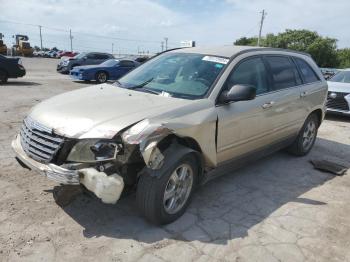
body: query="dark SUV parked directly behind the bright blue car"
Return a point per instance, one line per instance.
(93, 58)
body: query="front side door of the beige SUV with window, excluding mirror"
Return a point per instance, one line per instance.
(245, 126)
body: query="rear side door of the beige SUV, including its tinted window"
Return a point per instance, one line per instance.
(285, 100)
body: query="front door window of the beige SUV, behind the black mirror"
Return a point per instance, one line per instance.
(250, 72)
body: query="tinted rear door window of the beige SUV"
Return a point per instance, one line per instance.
(284, 72)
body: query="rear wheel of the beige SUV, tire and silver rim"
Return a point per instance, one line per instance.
(306, 137)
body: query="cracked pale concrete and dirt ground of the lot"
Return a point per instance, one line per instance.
(276, 209)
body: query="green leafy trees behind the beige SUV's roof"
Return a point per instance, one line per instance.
(323, 50)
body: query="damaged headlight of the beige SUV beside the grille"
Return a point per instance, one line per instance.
(93, 150)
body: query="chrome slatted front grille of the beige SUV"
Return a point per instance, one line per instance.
(38, 141)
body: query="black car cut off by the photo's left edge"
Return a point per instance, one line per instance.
(10, 67)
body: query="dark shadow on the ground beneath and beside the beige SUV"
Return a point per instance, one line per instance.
(225, 208)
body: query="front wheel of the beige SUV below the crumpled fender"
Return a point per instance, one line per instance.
(150, 194)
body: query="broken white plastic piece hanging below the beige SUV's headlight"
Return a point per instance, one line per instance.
(107, 188)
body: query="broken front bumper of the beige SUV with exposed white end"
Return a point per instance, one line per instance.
(107, 188)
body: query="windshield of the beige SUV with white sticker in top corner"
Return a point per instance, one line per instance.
(177, 74)
